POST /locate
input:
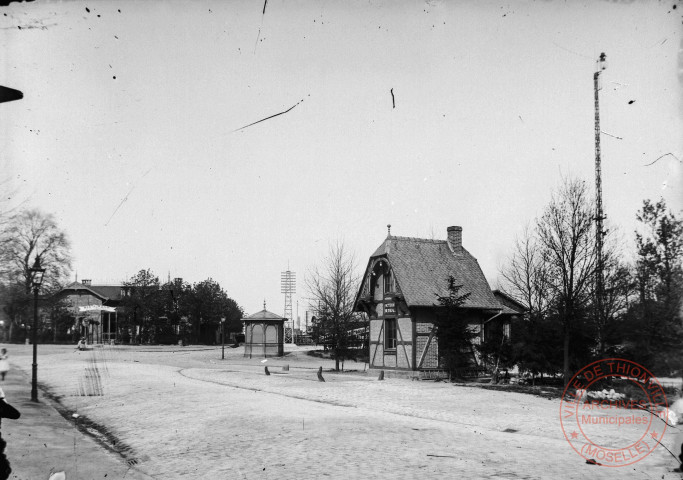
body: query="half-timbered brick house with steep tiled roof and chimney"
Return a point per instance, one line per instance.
(399, 293)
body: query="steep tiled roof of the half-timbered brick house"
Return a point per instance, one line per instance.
(421, 268)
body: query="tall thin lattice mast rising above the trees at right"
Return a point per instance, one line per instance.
(599, 214)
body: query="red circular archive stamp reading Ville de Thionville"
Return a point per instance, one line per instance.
(619, 426)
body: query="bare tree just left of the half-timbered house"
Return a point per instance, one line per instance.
(332, 287)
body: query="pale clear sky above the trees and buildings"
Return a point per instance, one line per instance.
(421, 115)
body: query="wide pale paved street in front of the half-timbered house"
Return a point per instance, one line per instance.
(184, 413)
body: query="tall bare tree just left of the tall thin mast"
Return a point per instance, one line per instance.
(567, 241)
